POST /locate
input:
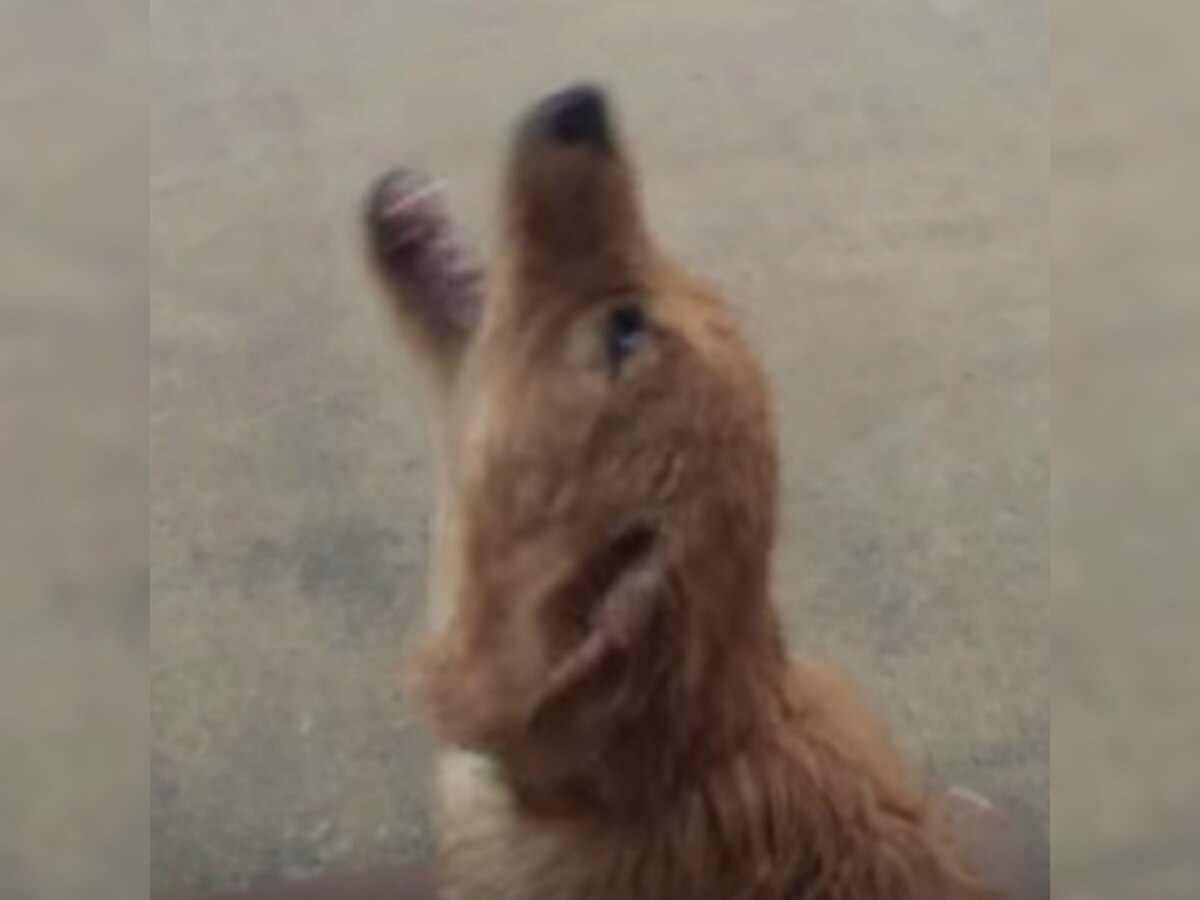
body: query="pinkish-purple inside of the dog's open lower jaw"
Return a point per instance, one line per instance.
(419, 253)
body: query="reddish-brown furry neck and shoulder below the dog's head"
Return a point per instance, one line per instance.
(770, 784)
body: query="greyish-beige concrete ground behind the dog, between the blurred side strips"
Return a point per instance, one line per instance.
(869, 183)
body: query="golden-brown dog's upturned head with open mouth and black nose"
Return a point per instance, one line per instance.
(611, 465)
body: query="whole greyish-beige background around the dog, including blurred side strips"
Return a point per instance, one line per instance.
(869, 183)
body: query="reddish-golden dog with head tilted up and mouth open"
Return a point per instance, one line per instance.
(605, 663)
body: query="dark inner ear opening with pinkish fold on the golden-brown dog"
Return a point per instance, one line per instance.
(603, 615)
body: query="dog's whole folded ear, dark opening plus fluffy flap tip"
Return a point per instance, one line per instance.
(484, 688)
